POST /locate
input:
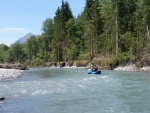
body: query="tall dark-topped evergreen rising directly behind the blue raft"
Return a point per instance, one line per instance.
(93, 26)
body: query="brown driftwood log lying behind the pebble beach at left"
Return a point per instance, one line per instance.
(14, 66)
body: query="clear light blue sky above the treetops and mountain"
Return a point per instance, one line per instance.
(19, 17)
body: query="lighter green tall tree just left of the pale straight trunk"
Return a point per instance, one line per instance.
(108, 18)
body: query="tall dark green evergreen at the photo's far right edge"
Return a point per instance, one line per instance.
(142, 23)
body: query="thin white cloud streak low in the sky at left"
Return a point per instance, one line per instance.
(13, 30)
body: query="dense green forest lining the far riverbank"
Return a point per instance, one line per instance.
(115, 29)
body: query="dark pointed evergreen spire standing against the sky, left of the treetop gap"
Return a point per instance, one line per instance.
(63, 15)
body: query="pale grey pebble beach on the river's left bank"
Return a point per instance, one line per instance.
(6, 74)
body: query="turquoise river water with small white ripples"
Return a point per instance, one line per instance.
(54, 90)
